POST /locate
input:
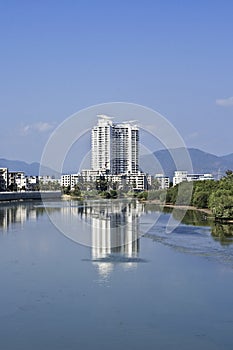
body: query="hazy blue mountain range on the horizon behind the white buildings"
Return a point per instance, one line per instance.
(159, 161)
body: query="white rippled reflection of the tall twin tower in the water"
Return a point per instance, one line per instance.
(115, 234)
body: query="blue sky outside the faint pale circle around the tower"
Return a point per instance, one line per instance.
(58, 57)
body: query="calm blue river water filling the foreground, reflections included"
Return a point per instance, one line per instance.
(159, 291)
